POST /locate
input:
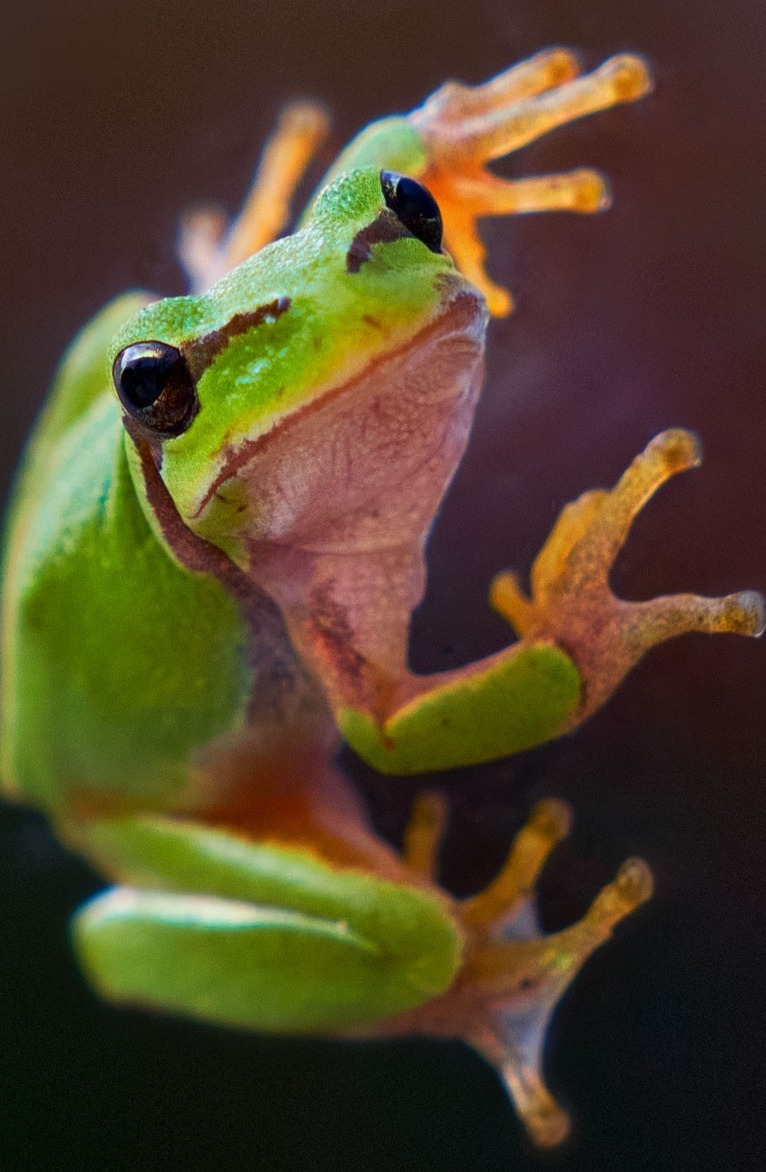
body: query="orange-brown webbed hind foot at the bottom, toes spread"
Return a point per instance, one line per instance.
(514, 977)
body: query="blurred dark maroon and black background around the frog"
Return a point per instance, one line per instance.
(115, 118)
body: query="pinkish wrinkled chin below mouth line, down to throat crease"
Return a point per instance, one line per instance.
(367, 462)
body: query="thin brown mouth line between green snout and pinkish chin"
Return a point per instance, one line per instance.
(464, 312)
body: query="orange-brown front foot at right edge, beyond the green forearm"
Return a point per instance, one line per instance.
(572, 603)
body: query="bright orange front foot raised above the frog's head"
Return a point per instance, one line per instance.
(466, 127)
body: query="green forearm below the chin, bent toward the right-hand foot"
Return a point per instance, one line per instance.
(516, 700)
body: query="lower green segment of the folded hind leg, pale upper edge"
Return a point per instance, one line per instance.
(232, 963)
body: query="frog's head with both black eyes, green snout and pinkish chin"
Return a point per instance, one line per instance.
(323, 371)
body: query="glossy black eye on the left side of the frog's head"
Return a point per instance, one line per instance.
(155, 387)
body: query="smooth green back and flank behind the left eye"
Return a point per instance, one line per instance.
(118, 663)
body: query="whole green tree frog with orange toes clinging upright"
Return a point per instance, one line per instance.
(214, 554)
